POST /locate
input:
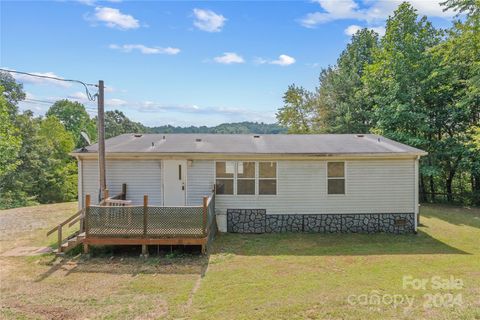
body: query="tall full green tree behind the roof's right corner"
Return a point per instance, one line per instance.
(398, 84)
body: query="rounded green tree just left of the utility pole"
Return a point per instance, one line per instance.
(75, 118)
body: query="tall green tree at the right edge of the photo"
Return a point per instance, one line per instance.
(458, 79)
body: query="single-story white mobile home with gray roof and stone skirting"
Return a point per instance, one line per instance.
(267, 183)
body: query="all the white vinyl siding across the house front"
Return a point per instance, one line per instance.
(372, 186)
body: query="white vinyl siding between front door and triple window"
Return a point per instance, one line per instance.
(200, 180)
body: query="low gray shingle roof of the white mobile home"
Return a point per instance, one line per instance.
(317, 144)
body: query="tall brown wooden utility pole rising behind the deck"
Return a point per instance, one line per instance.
(101, 139)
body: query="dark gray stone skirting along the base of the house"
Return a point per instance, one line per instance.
(258, 221)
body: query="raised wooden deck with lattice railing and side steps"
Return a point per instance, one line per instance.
(123, 224)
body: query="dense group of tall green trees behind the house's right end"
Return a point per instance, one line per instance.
(418, 85)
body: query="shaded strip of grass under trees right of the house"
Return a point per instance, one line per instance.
(460, 216)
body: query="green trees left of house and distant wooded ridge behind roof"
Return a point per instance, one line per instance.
(35, 165)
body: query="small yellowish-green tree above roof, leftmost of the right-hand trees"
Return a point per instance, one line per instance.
(298, 113)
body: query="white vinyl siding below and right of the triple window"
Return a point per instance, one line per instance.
(372, 186)
